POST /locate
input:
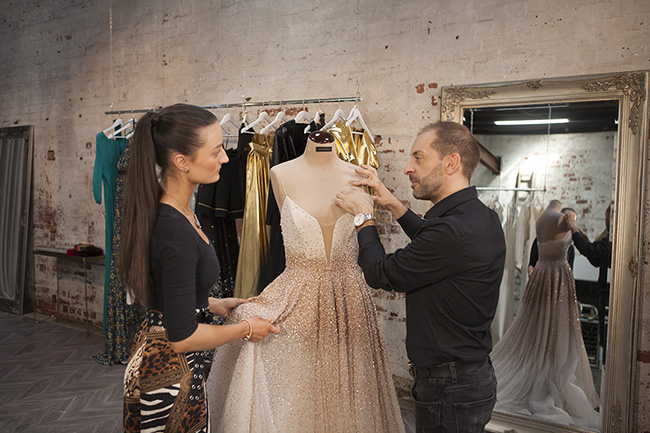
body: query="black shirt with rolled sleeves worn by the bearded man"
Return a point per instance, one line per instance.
(451, 272)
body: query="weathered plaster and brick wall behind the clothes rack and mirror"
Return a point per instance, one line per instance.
(67, 62)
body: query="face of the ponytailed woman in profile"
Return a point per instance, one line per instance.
(207, 162)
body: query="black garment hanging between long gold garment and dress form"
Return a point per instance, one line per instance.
(289, 143)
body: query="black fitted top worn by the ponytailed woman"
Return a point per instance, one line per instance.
(183, 268)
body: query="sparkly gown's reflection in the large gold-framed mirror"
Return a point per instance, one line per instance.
(541, 363)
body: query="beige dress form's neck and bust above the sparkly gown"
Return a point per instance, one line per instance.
(312, 181)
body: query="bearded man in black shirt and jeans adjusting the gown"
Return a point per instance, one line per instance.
(450, 271)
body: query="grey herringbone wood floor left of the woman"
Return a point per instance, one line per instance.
(49, 381)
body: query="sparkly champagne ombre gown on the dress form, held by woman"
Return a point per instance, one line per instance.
(327, 371)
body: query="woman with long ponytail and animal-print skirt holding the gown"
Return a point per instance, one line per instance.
(169, 266)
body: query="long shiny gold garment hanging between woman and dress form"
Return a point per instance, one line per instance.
(254, 236)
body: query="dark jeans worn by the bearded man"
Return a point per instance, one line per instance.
(459, 403)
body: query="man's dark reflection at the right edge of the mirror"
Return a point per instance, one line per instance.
(599, 254)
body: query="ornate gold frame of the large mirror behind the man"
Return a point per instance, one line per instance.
(631, 90)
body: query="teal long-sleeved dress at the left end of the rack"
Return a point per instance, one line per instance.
(105, 174)
